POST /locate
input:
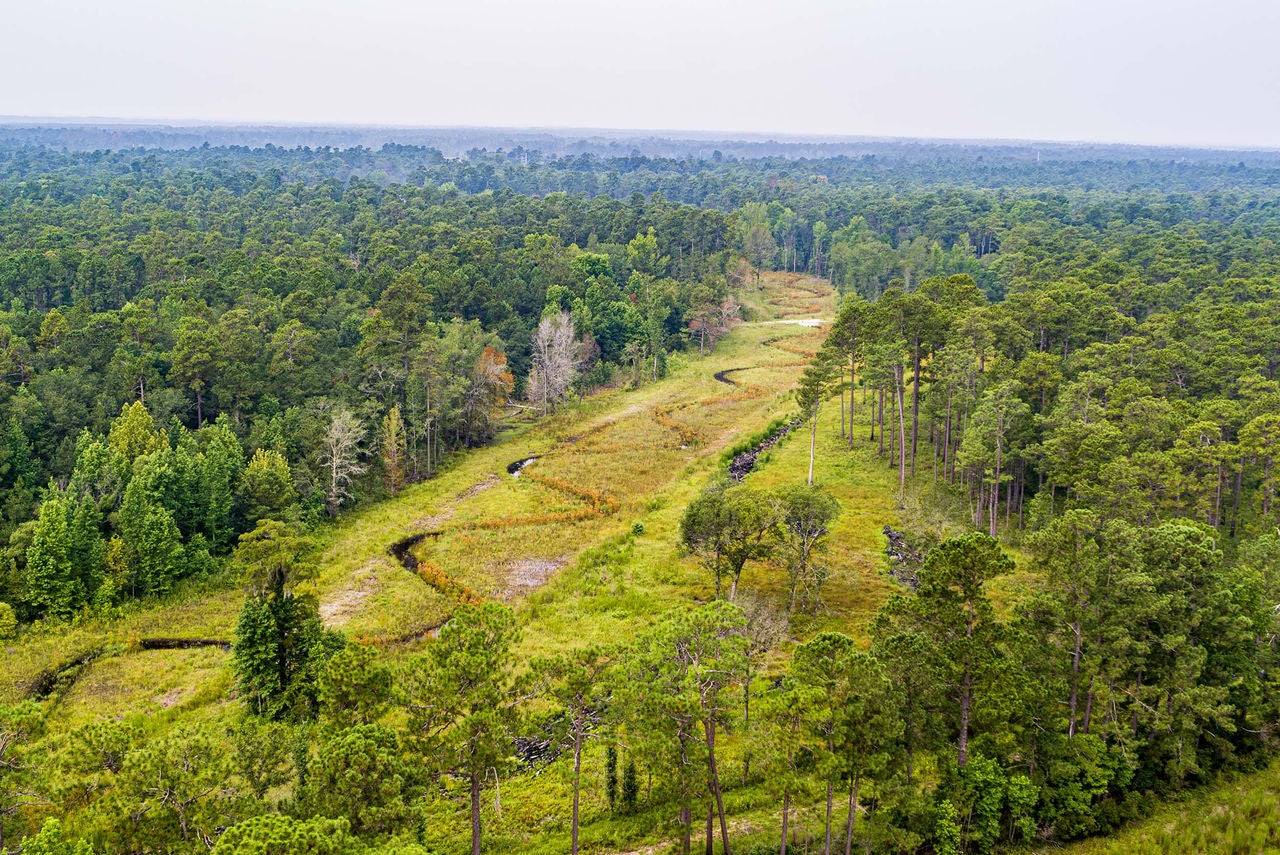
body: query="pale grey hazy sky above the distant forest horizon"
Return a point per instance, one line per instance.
(1126, 71)
